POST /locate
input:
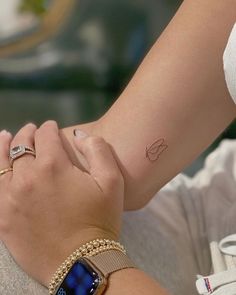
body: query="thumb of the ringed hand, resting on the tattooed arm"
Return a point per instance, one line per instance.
(102, 164)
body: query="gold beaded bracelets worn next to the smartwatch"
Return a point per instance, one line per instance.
(90, 249)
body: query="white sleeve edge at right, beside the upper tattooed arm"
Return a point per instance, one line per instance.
(230, 64)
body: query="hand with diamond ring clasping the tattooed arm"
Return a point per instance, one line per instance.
(49, 207)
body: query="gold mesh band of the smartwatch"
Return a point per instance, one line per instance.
(110, 261)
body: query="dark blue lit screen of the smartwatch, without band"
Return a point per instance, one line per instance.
(81, 280)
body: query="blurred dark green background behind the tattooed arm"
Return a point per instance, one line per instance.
(68, 60)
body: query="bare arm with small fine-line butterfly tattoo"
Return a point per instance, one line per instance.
(176, 104)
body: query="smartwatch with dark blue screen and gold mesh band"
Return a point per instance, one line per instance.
(89, 275)
